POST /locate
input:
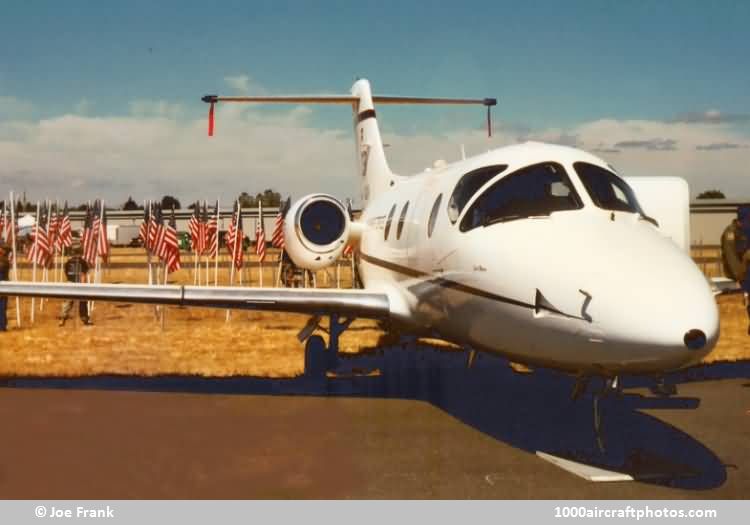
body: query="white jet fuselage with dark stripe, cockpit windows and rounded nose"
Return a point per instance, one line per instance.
(568, 280)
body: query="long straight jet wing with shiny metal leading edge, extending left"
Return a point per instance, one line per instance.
(350, 303)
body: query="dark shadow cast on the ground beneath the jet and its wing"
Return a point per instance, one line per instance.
(532, 412)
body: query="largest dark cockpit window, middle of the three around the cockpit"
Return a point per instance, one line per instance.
(533, 191)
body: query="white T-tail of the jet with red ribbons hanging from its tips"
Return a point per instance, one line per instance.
(372, 165)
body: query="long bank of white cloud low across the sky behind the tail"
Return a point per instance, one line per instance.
(157, 150)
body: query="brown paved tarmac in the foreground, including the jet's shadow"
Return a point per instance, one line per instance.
(129, 438)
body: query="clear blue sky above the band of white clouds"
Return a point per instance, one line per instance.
(553, 65)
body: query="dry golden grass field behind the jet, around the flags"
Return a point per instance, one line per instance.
(128, 339)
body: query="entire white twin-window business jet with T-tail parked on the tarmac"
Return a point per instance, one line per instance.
(540, 253)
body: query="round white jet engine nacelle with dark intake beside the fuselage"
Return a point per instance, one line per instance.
(316, 229)
